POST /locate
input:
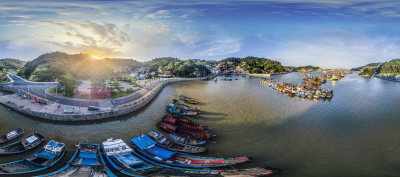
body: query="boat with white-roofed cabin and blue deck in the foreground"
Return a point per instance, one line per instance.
(120, 156)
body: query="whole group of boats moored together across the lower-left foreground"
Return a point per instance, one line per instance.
(151, 154)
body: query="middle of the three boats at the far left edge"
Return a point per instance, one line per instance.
(30, 142)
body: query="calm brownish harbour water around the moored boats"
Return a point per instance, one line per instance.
(355, 134)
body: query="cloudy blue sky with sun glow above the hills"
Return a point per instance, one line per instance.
(329, 34)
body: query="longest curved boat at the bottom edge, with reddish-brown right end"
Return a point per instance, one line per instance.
(169, 170)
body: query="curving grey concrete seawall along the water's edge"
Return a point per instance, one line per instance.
(113, 113)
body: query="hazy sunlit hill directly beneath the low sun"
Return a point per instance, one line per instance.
(51, 66)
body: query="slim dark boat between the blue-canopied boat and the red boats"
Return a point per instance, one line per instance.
(170, 145)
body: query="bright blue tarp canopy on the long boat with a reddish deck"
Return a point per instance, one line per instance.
(147, 144)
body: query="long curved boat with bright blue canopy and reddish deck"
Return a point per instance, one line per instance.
(149, 148)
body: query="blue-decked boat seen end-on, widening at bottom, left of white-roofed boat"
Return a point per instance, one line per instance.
(86, 161)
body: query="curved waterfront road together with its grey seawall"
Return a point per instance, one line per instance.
(49, 111)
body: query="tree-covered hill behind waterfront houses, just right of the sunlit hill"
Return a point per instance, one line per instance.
(180, 68)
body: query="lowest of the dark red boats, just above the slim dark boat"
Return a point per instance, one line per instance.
(201, 135)
